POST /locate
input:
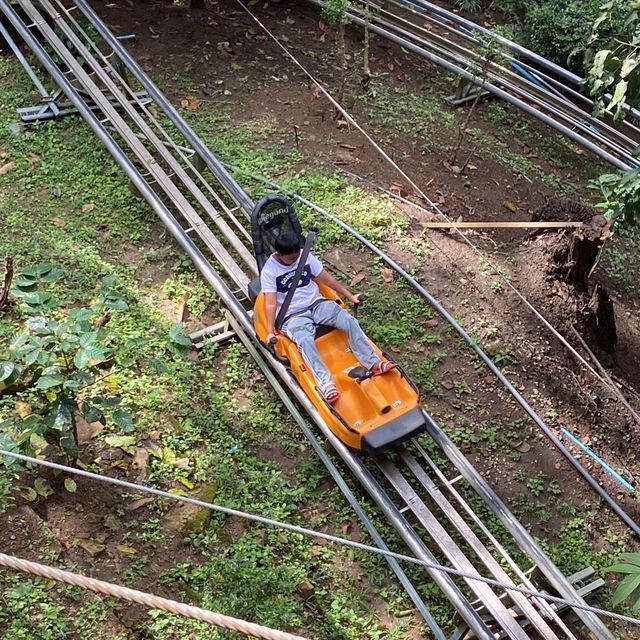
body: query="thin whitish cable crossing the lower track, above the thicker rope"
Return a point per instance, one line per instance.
(317, 534)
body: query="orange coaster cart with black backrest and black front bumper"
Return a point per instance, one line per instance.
(374, 413)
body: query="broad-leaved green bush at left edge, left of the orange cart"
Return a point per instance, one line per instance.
(52, 365)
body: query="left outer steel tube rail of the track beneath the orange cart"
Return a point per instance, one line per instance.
(236, 308)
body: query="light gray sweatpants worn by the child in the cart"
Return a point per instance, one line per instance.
(301, 328)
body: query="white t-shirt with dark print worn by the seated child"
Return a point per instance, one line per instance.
(276, 277)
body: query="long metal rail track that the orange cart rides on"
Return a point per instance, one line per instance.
(207, 217)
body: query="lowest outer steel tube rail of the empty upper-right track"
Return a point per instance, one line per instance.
(505, 95)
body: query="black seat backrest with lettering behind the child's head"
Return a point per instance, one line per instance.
(270, 217)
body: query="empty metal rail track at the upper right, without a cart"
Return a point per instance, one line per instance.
(460, 46)
